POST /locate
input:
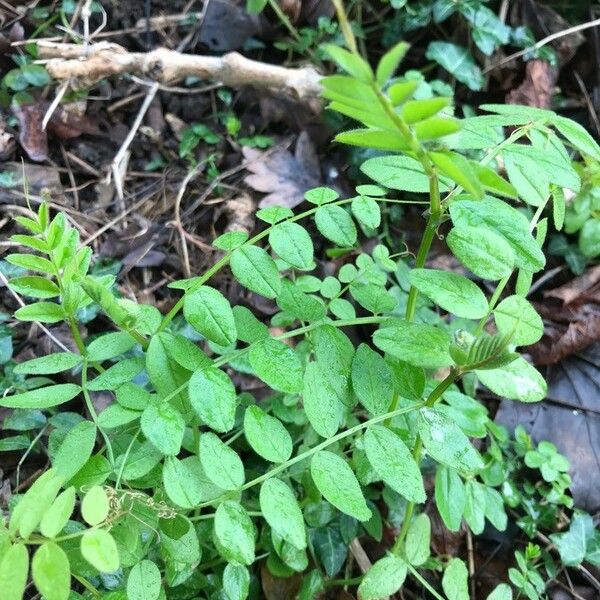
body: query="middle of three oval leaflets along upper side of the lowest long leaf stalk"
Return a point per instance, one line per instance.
(266, 435)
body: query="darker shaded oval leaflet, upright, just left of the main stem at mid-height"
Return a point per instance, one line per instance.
(372, 380)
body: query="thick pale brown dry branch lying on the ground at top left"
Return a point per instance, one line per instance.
(83, 67)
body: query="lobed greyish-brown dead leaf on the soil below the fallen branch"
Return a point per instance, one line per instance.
(283, 176)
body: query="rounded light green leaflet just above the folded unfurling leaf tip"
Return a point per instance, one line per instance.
(517, 316)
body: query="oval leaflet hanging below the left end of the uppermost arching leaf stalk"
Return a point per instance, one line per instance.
(210, 314)
